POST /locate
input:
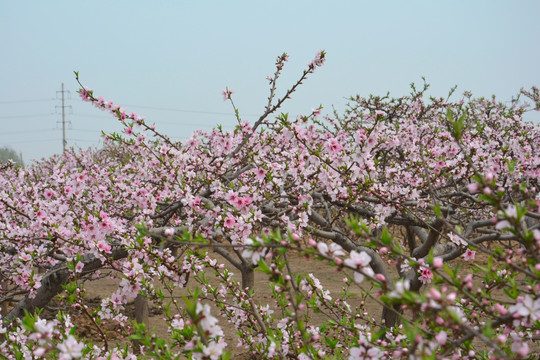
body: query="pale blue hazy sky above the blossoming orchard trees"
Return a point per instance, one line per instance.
(169, 60)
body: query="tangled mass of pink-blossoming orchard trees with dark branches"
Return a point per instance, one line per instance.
(394, 193)
